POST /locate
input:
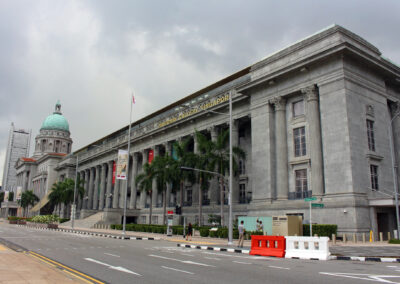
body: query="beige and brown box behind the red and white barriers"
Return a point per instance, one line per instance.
(287, 226)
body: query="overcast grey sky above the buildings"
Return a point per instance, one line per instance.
(91, 54)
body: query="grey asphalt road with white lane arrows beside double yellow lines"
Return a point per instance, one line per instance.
(141, 261)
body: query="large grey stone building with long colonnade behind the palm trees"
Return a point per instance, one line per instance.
(314, 120)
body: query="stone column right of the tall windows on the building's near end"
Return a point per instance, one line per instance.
(314, 128)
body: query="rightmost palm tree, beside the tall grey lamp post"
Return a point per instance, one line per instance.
(217, 154)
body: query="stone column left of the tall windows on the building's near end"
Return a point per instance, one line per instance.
(281, 148)
